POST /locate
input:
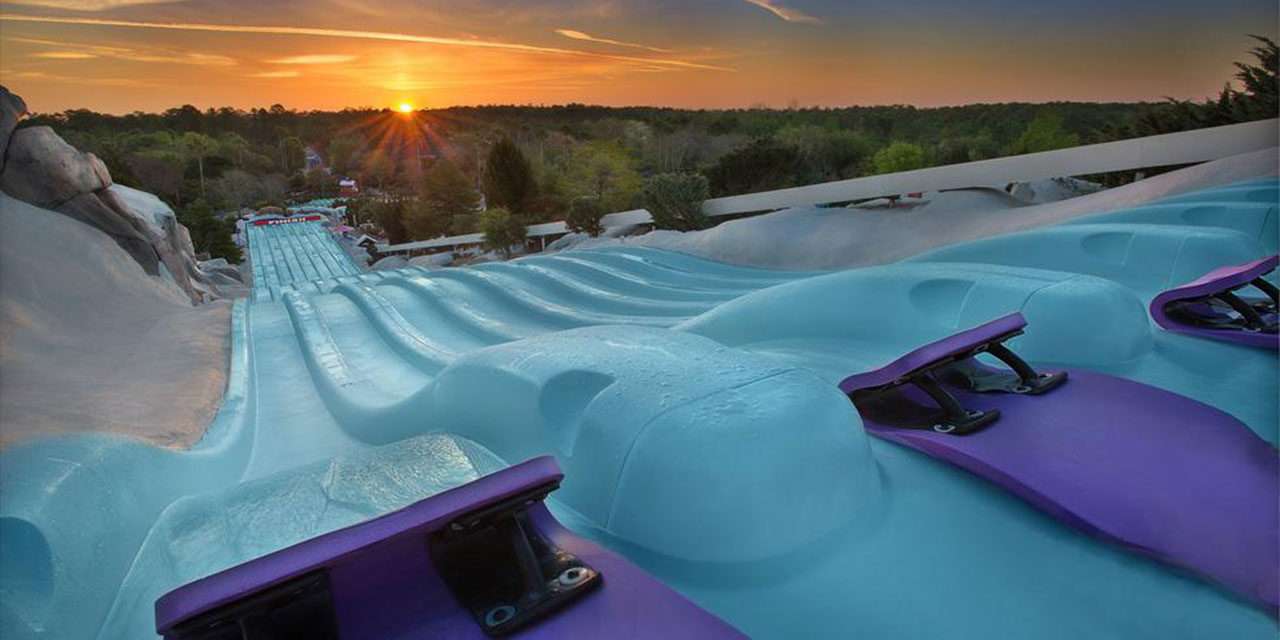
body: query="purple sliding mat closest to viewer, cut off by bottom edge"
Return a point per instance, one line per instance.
(482, 560)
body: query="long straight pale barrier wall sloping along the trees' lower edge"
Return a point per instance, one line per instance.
(1169, 149)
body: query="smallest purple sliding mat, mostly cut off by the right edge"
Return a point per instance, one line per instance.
(1209, 307)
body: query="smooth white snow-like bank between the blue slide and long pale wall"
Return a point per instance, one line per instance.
(806, 239)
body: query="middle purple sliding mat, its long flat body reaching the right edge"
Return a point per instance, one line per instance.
(1158, 473)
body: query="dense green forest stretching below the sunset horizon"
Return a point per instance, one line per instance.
(431, 172)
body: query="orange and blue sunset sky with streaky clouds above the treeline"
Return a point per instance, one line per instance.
(125, 56)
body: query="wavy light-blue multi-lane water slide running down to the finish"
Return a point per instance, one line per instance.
(696, 413)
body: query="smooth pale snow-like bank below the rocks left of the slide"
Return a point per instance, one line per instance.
(90, 344)
